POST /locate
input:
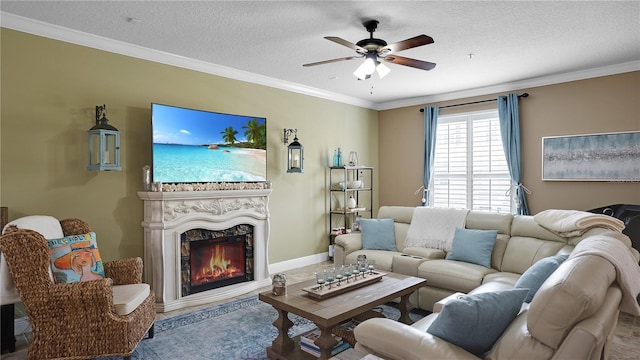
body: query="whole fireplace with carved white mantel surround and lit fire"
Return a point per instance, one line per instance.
(185, 229)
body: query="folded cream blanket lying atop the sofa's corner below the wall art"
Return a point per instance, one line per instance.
(571, 223)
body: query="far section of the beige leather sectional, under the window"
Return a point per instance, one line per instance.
(520, 243)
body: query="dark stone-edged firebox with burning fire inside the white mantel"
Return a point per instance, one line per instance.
(212, 259)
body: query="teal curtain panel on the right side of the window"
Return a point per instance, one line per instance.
(510, 129)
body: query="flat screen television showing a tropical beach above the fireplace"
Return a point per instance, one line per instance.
(196, 146)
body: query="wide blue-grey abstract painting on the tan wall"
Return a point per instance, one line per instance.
(592, 157)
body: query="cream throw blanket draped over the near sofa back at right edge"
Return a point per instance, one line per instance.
(619, 254)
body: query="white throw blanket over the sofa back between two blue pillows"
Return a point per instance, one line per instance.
(434, 227)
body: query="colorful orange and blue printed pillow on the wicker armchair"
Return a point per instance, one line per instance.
(75, 258)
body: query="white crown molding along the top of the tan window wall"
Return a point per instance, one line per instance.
(515, 85)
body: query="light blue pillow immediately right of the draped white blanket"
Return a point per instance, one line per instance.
(473, 246)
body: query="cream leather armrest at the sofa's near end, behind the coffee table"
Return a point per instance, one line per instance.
(393, 340)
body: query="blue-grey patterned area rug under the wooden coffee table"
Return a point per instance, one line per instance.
(241, 329)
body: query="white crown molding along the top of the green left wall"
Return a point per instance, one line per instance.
(55, 32)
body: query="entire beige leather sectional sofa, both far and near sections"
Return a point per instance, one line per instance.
(572, 316)
